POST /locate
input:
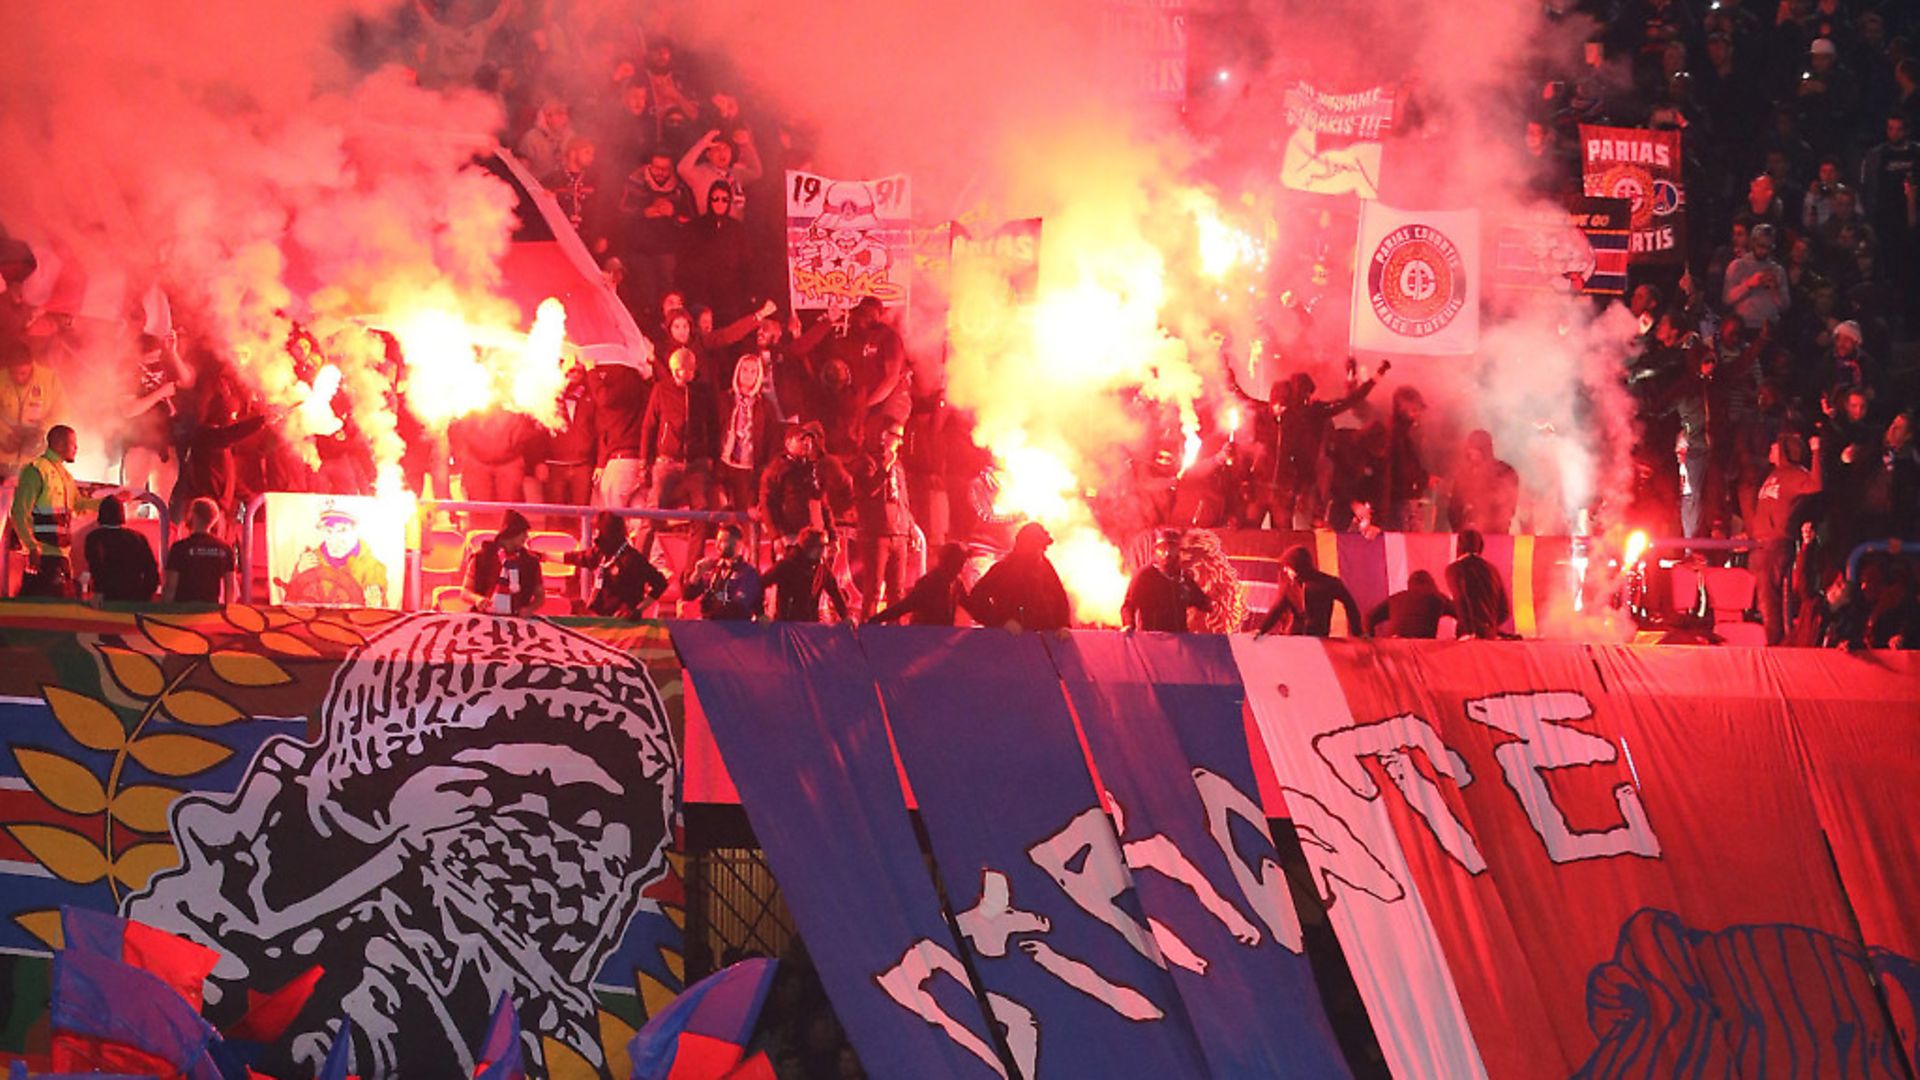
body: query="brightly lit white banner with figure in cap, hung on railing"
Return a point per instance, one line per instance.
(335, 551)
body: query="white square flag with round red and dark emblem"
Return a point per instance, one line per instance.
(1418, 282)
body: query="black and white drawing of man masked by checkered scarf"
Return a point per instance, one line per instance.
(481, 812)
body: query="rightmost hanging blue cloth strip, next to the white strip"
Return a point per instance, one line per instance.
(1163, 720)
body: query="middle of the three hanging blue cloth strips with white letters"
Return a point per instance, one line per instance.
(1030, 858)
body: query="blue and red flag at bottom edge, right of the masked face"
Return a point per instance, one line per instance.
(706, 1031)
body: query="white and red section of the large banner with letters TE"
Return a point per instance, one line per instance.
(1614, 850)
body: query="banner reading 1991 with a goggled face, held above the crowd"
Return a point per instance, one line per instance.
(848, 241)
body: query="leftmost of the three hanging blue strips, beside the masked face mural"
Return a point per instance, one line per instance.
(798, 722)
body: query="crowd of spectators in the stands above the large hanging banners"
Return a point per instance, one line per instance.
(1775, 381)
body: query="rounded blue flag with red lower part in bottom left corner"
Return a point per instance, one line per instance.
(112, 1018)
